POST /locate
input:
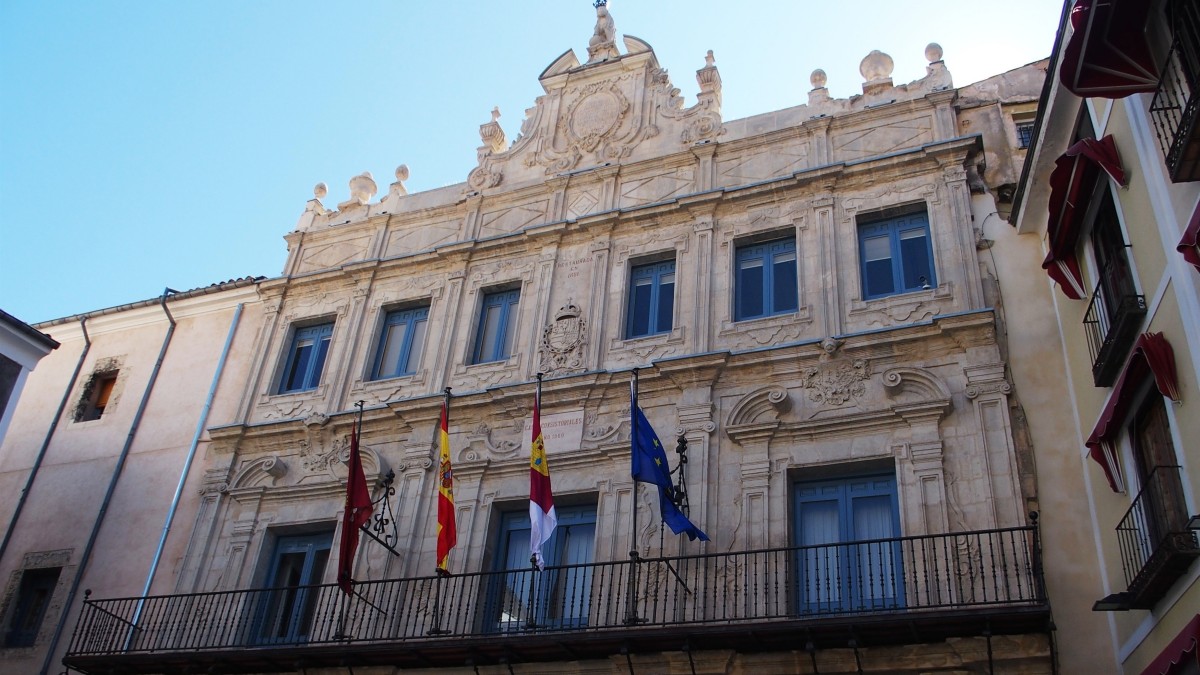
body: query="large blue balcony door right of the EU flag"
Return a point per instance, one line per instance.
(849, 557)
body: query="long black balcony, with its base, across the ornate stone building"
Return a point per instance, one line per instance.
(904, 590)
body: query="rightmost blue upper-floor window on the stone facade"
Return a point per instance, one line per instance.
(897, 256)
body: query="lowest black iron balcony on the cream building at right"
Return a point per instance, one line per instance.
(1156, 545)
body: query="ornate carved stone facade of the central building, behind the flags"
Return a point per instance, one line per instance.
(767, 338)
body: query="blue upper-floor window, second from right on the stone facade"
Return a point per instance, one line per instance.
(766, 280)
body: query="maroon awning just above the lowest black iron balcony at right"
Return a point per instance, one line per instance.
(1151, 357)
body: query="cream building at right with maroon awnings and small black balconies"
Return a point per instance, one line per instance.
(1111, 190)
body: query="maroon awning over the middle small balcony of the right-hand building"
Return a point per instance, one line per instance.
(1072, 186)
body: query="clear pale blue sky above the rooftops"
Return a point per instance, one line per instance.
(153, 145)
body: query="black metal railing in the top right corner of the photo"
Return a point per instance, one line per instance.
(1175, 106)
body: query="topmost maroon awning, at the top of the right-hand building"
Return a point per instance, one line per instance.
(1108, 55)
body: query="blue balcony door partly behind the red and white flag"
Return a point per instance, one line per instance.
(557, 598)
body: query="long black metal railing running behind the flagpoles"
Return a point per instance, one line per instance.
(908, 576)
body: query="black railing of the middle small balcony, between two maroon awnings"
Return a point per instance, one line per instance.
(1112, 322)
